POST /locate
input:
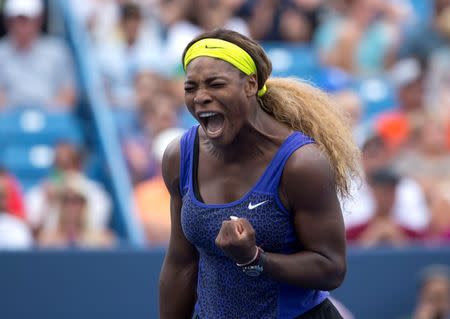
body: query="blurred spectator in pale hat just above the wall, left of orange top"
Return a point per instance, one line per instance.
(72, 219)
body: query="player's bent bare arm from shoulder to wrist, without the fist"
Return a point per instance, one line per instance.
(308, 190)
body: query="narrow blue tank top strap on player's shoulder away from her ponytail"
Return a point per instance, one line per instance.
(187, 143)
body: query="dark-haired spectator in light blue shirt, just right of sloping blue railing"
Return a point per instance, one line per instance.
(132, 48)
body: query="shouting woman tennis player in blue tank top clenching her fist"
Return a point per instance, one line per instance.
(257, 230)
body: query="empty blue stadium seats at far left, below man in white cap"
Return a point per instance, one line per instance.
(27, 137)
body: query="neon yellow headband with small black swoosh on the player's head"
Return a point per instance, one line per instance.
(226, 51)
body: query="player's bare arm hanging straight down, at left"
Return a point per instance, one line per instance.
(178, 278)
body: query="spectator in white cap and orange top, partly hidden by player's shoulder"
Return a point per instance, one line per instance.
(152, 198)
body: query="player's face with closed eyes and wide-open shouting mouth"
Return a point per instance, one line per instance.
(218, 96)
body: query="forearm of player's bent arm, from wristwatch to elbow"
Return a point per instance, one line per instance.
(306, 269)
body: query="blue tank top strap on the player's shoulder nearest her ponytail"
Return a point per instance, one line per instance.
(271, 179)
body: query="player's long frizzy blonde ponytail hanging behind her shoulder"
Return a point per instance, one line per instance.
(307, 109)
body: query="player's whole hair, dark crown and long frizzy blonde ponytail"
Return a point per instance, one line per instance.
(302, 107)
